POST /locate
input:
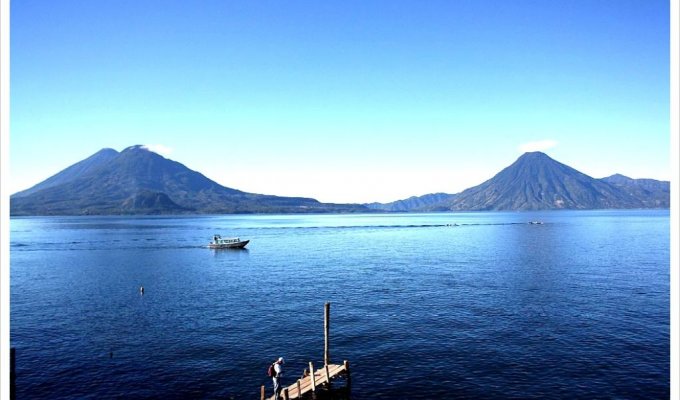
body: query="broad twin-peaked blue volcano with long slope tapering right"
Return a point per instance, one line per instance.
(138, 181)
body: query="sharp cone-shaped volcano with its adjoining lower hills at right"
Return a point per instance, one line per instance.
(537, 182)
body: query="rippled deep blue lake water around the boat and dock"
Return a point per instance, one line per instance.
(494, 307)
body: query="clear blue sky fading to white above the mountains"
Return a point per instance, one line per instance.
(347, 101)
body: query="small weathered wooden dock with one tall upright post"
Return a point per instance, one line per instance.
(315, 378)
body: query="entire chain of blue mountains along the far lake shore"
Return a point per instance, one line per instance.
(139, 181)
